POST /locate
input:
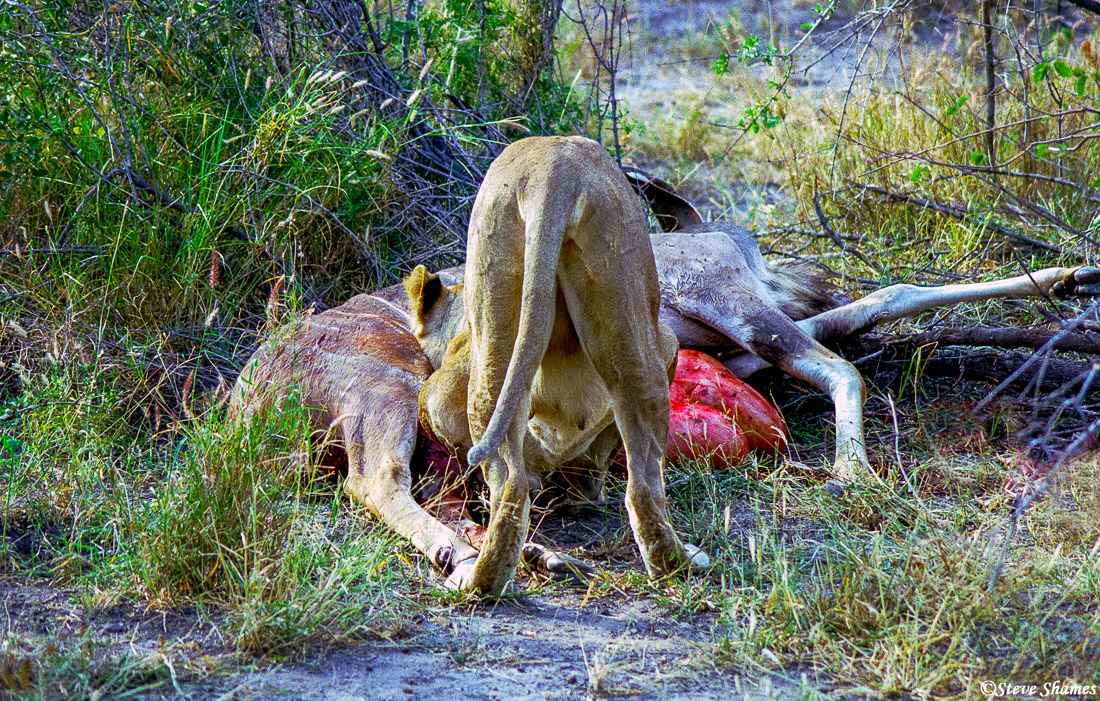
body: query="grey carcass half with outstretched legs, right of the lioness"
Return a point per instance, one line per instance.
(720, 295)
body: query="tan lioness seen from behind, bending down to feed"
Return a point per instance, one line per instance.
(556, 336)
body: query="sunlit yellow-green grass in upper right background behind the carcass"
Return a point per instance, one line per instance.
(917, 132)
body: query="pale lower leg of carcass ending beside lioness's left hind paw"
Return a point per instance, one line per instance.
(382, 481)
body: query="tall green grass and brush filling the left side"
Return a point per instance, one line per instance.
(172, 189)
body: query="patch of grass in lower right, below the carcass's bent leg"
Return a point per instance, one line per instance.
(886, 589)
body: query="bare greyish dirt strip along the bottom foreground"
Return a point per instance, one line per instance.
(558, 644)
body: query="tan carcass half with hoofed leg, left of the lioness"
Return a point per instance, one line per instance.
(358, 369)
